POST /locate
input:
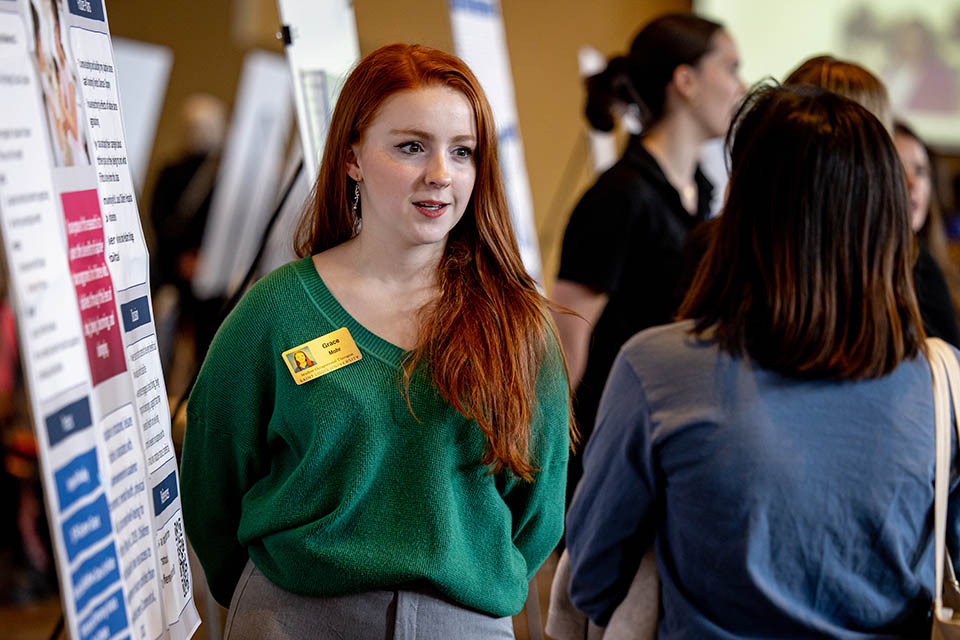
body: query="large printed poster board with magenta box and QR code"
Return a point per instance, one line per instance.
(79, 278)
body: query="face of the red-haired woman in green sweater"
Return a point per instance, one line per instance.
(416, 166)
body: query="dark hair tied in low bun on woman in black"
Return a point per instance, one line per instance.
(641, 77)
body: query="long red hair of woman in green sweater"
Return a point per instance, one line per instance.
(485, 338)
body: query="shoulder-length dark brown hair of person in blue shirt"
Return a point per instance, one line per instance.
(809, 270)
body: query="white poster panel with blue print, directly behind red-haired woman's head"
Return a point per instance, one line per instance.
(479, 39)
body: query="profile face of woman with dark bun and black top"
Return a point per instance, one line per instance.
(718, 86)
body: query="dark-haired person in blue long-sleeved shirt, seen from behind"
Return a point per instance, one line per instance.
(776, 446)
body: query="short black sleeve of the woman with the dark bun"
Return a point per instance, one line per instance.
(598, 236)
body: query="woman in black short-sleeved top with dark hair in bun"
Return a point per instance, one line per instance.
(622, 250)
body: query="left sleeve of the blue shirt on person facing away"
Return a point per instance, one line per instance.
(610, 523)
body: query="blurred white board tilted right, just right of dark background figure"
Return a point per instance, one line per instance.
(249, 179)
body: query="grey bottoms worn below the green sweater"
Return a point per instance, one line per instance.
(260, 610)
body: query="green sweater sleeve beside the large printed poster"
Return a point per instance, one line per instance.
(223, 451)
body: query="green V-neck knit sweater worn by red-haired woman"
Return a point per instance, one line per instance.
(333, 487)
